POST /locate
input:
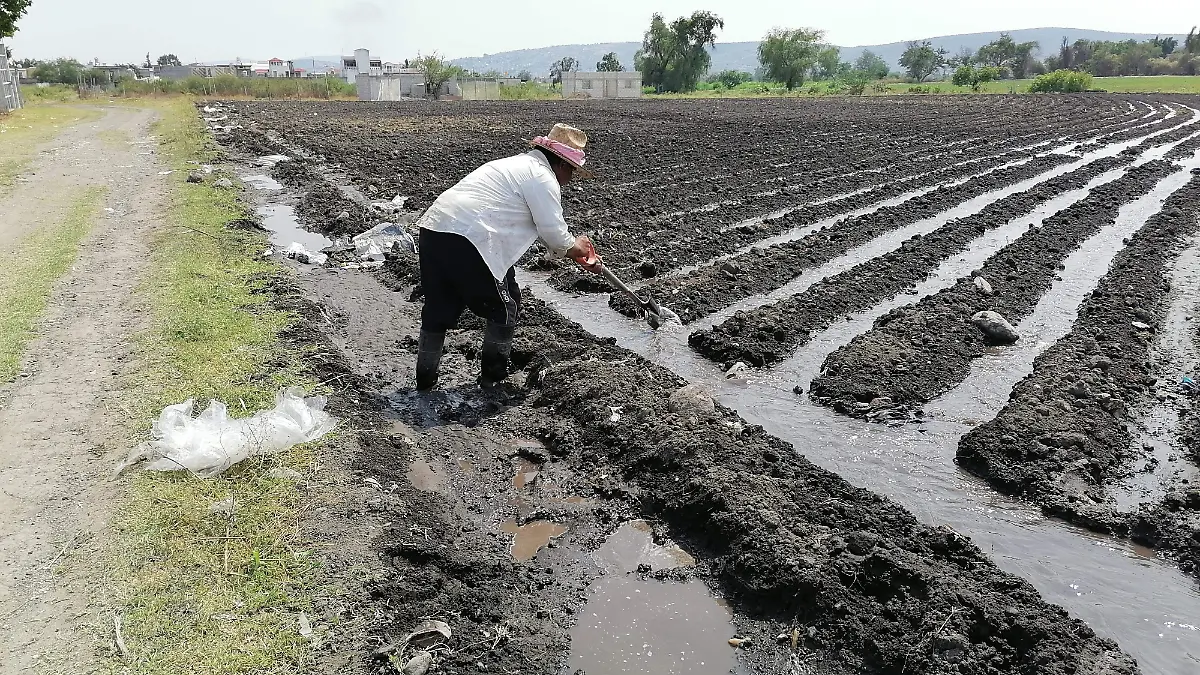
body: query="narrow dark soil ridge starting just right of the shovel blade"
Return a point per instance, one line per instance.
(770, 334)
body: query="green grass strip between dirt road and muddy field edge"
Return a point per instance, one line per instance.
(206, 593)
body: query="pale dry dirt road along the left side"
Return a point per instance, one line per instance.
(61, 422)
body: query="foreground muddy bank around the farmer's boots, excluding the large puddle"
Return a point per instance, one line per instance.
(491, 503)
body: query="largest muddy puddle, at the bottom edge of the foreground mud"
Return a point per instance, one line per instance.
(634, 624)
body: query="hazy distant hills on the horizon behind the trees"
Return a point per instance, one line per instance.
(745, 56)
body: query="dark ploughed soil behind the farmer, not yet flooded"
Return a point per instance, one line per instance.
(718, 166)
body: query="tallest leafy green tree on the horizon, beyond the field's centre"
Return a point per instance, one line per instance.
(675, 57)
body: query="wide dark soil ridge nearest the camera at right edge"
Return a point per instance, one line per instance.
(1066, 435)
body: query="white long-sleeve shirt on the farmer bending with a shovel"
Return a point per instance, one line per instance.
(503, 207)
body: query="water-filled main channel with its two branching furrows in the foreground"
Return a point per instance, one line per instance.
(1120, 590)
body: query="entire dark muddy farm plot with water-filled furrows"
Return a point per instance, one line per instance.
(766, 224)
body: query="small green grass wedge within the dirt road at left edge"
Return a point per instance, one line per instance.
(31, 272)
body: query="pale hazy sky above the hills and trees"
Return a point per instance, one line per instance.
(124, 31)
